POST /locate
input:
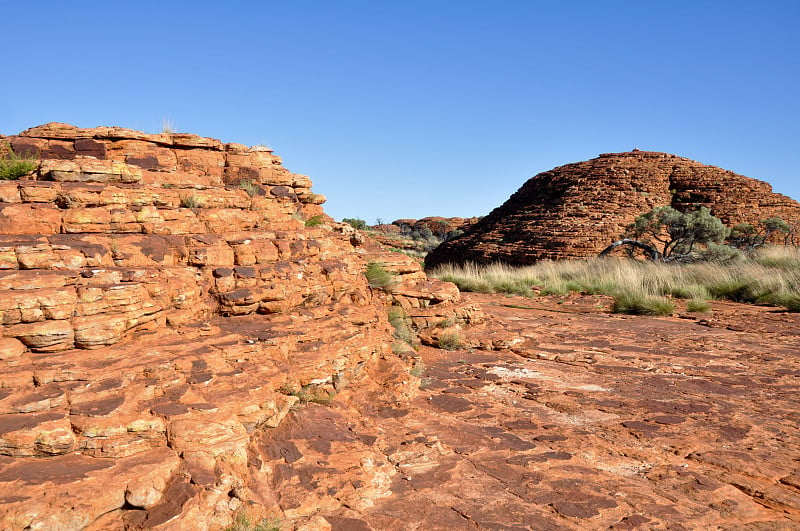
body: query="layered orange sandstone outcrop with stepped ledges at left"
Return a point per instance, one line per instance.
(165, 301)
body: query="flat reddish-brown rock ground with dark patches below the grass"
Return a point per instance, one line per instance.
(589, 421)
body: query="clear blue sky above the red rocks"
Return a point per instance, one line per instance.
(418, 108)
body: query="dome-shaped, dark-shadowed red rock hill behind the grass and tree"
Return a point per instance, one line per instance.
(576, 210)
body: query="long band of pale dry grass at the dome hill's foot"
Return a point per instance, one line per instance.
(771, 276)
